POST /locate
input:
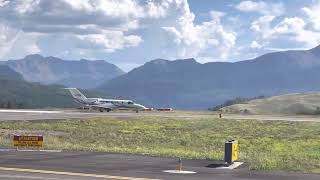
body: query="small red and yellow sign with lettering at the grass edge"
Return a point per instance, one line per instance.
(28, 141)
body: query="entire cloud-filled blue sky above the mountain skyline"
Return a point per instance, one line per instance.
(129, 33)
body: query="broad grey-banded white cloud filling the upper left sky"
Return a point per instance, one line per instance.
(97, 23)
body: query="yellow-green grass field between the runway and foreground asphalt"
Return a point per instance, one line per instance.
(264, 145)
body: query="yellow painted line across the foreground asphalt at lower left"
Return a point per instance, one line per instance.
(72, 174)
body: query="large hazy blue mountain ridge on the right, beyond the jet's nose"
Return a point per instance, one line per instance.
(188, 84)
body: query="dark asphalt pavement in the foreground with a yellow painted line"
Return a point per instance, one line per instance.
(82, 165)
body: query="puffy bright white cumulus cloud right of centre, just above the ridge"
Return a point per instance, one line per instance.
(203, 40)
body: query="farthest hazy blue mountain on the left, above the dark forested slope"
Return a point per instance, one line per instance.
(51, 70)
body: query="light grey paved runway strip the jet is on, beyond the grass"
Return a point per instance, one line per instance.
(67, 114)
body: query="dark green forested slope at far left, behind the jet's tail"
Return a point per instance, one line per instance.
(15, 92)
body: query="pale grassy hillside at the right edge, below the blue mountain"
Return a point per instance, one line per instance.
(300, 103)
